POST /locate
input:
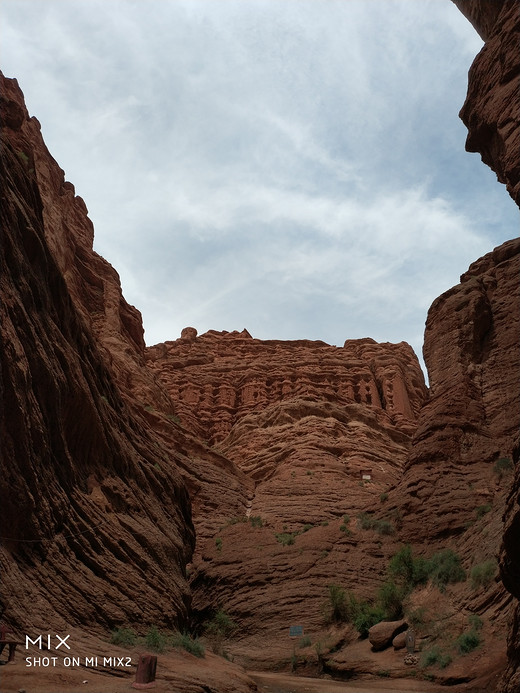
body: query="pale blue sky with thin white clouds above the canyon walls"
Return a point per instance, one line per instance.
(295, 167)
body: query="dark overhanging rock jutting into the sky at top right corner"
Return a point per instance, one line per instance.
(491, 111)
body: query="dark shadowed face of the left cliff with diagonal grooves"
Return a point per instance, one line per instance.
(93, 513)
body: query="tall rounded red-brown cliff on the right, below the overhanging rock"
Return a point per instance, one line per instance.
(472, 417)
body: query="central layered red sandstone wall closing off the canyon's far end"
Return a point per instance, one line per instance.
(323, 433)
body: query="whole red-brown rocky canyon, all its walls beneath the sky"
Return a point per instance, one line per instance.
(159, 486)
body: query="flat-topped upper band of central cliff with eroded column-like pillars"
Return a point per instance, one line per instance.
(220, 377)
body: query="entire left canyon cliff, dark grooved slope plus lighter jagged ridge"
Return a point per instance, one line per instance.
(96, 472)
